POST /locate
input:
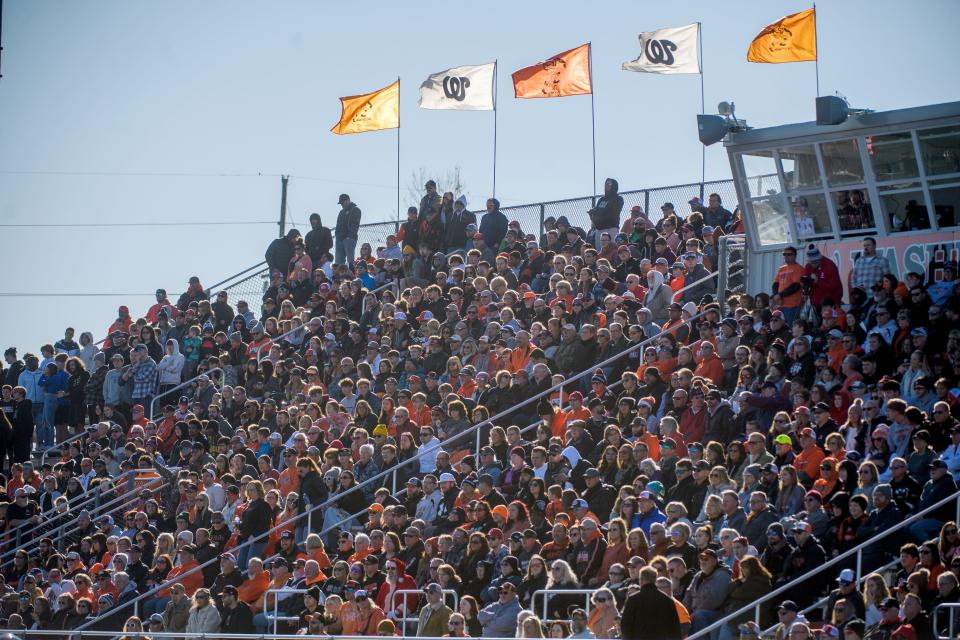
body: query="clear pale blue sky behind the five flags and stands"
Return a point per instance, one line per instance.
(138, 113)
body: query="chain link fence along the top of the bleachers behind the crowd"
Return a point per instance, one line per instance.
(531, 217)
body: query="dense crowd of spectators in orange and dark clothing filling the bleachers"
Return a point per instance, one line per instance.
(421, 438)
